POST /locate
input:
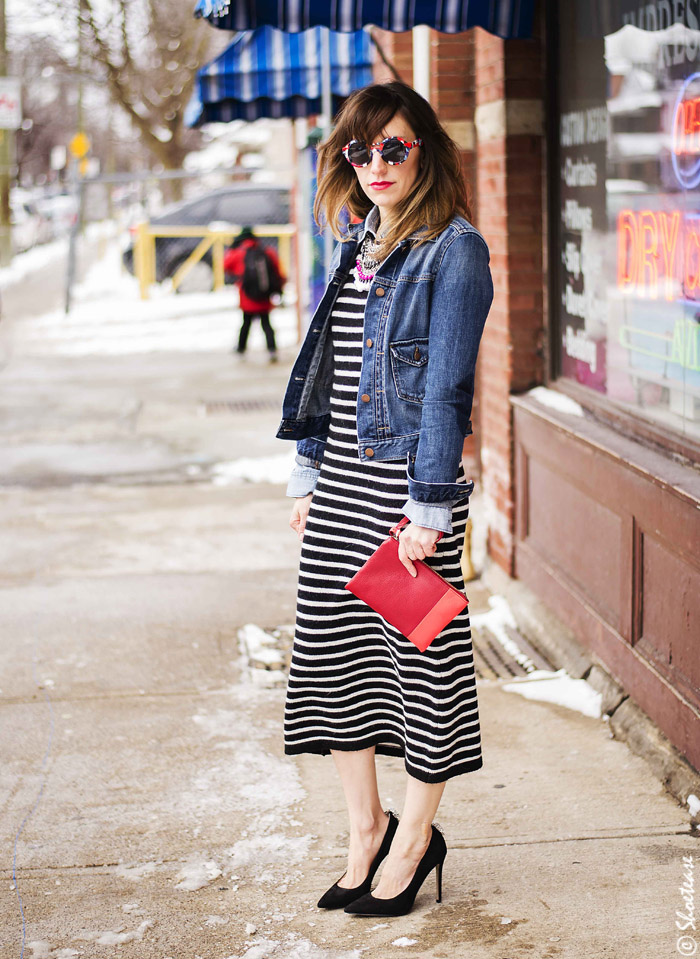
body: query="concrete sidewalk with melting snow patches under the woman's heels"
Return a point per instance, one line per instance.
(165, 820)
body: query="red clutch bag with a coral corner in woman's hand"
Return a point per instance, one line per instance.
(418, 606)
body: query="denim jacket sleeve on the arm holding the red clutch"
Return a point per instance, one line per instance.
(461, 299)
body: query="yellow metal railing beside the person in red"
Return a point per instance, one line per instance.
(215, 240)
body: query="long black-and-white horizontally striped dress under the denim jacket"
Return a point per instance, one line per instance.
(355, 681)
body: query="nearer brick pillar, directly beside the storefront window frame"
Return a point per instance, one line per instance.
(508, 89)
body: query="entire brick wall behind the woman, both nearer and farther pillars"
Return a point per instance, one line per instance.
(488, 94)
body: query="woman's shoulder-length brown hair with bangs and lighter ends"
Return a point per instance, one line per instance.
(439, 191)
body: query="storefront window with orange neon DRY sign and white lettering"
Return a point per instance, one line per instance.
(628, 234)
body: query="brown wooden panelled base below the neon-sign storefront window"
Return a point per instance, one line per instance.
(608, 535)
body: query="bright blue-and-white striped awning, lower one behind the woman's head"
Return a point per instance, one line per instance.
(269, 73)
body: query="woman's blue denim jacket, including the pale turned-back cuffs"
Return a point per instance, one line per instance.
(423, 321)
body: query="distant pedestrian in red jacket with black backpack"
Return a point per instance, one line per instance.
(257, 274)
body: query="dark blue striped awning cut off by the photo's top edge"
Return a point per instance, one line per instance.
(505, 18)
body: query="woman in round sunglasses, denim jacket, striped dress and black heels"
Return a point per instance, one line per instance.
(379, 401)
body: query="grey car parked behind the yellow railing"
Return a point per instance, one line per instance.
(240, 205)
